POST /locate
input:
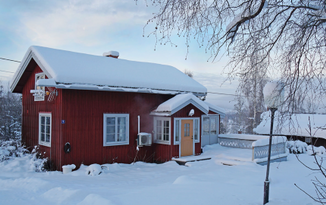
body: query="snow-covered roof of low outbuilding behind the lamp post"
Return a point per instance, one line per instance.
(296, 124)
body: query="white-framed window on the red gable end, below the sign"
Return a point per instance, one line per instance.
(45, 129)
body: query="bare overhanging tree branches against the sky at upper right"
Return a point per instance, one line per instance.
(291, 35)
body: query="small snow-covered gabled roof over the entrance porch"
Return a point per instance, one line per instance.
(178, 102)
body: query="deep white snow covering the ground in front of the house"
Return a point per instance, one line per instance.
(202, 182)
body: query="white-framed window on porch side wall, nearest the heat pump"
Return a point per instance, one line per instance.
(162, 130)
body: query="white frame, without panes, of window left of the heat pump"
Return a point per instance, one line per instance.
(105, 116)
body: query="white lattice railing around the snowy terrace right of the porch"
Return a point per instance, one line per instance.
(258, 151)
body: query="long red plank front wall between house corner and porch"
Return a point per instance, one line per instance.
(83, 129)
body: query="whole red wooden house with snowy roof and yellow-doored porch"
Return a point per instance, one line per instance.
(82, 108)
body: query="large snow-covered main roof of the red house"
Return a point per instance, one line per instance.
(71, 70)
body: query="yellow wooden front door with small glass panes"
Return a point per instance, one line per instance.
(187, 137)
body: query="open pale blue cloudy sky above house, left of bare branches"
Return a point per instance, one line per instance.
(99, 26)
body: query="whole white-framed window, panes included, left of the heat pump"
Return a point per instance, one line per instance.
(115, 129)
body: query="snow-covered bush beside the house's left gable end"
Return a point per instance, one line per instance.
(12, 150)
